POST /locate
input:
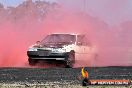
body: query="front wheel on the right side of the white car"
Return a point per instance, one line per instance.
(71, 60)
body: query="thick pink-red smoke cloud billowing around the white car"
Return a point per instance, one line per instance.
(22, 30)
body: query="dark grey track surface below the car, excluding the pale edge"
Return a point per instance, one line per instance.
(43, 75)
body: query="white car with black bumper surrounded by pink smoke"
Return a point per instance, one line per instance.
(59, 48)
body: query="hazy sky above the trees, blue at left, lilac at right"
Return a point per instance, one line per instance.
(110, 11)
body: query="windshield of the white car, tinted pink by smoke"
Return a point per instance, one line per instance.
(59, 39)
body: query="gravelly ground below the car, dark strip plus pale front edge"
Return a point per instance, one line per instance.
(59, 77)
